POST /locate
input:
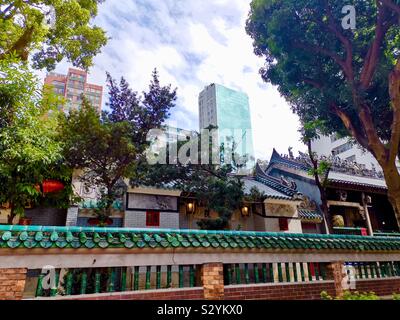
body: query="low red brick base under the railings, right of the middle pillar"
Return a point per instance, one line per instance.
(285, 291)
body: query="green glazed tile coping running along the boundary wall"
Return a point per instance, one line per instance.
(29, 237)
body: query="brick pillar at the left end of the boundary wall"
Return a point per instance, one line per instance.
(12, 283)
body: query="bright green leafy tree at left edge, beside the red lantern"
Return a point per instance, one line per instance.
(29, 149)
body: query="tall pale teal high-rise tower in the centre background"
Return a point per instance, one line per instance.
(229, 111)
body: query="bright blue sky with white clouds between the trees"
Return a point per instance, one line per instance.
(193, 43)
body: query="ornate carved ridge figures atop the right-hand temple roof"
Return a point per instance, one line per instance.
(303, 162)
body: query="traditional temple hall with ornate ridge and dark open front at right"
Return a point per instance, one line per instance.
(355, 193)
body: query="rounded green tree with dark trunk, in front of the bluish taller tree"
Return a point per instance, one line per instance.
(102, 151)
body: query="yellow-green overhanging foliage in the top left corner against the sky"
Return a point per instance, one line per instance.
(53, 29)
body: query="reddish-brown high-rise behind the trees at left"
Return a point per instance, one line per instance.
(73, 86)
